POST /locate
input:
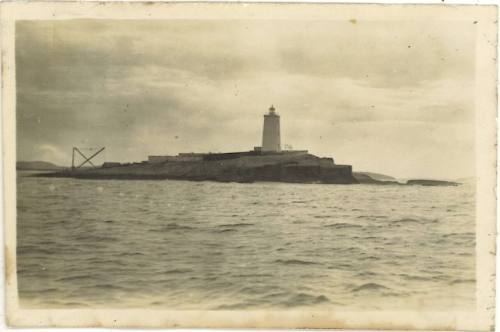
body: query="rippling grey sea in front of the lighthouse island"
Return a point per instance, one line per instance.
(208, 245)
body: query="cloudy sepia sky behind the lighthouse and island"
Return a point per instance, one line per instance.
(391, 97)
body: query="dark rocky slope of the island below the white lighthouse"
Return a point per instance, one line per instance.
(305, 168)
